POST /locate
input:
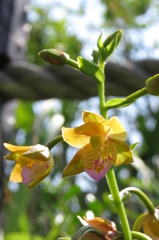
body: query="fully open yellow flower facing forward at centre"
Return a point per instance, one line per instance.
(102, 144)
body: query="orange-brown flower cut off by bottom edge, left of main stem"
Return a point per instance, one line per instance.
(105, 226)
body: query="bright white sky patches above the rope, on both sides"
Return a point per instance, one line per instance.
(82, 26)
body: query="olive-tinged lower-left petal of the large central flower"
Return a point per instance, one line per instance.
(75, 166)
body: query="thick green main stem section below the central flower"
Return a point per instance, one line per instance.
(111, 179)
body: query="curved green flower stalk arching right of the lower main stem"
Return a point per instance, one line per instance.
(146, 201)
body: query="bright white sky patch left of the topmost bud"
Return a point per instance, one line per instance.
(80, 26)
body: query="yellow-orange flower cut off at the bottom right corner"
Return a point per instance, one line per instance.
(149, 223)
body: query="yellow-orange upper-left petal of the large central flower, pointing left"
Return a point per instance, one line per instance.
(80, 136)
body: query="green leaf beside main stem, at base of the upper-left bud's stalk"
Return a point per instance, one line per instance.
(90, 69)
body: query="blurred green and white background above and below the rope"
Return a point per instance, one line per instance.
(50, 210)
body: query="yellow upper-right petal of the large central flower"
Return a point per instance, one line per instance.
(117, 131)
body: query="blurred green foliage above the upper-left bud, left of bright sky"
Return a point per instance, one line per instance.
(49, 33)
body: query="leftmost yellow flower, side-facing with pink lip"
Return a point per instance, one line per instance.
(33, 163)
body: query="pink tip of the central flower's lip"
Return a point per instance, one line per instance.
(97, 175)
